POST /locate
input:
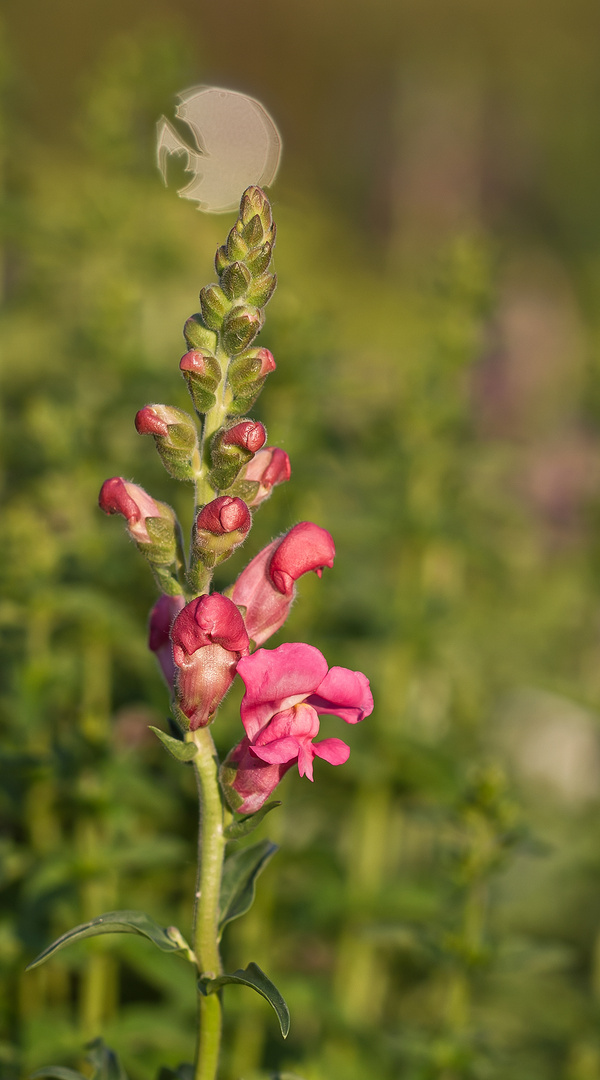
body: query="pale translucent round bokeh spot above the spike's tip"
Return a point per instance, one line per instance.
(237, 145)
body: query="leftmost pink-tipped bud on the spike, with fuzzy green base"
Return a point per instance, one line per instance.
(152, 524)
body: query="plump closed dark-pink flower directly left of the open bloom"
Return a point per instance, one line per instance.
(209, 639)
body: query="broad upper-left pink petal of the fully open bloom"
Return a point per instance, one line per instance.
(277, 680)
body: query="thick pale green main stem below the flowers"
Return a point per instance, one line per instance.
(211, 854)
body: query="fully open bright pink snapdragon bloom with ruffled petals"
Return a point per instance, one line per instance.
(287, 691)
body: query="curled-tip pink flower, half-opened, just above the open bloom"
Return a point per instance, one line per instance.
(267, 588)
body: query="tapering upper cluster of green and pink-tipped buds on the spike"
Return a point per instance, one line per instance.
(225, 456)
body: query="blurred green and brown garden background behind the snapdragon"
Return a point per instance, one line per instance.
(435, 909)
